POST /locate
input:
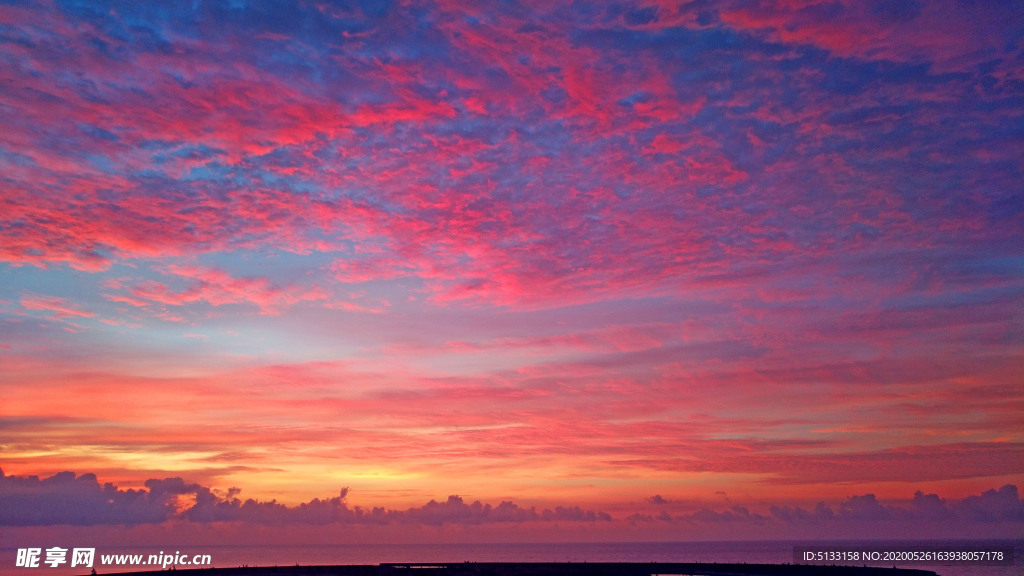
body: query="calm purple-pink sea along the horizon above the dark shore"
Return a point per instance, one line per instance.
(720, 552)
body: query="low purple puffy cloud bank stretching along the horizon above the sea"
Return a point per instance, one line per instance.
(80, 501)
